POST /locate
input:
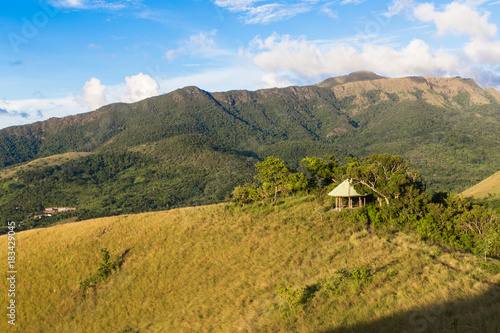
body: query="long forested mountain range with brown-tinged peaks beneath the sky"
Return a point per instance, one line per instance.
(192, 147)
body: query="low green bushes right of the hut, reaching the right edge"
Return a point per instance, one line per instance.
(446, 218)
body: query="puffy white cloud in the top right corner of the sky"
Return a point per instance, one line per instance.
(457, 19)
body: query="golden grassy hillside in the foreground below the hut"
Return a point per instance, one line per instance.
(213, 269)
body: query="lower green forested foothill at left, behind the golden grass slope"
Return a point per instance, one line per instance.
(166, 175)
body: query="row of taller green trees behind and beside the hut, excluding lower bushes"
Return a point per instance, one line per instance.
(389, 178)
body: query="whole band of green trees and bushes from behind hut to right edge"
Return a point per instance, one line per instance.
(400, 201)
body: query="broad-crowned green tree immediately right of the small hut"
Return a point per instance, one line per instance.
(388, 177)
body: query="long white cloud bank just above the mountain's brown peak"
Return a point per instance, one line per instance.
(284, 56)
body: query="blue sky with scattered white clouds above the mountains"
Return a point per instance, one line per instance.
(62, 57)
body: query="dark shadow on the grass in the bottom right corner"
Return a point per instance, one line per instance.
(480, 314)
